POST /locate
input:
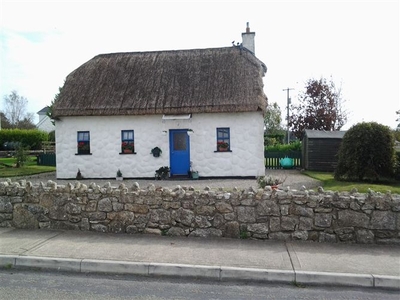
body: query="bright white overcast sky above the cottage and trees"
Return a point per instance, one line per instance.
(354, 43)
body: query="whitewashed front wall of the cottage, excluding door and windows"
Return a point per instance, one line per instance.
(246, 137)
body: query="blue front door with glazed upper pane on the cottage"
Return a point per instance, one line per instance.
(179, 152)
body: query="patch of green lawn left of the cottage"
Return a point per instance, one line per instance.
(8, 169)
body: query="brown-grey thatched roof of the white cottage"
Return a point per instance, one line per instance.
(165, 82)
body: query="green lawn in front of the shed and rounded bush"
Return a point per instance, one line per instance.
(329, 183)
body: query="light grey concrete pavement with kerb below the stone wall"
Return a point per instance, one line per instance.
(217, 259)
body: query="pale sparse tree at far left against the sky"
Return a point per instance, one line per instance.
(15, 110)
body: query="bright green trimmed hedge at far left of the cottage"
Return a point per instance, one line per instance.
(30, 139)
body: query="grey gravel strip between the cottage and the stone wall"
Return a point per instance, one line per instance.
(293, 179)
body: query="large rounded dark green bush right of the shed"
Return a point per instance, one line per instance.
(366, 153)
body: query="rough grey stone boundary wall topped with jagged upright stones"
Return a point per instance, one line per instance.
(322, 216)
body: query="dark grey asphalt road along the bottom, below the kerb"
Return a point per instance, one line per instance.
(17, 284)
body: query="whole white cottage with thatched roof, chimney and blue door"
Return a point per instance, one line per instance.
(135, 112)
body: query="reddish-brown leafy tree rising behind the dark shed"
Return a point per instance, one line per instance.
(320, 108)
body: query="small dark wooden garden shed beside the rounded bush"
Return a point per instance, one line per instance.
(320, 149)
